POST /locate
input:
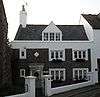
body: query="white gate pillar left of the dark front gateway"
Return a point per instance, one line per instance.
(30, 85)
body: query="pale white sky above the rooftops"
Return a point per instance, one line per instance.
(65, 12)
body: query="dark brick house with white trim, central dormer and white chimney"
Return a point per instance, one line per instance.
(66, 52)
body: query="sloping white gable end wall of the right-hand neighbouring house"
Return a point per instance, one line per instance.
(88, 28)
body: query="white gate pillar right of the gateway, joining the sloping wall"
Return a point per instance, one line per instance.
(47, 85)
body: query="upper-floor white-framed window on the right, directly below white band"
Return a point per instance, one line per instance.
(80, 54)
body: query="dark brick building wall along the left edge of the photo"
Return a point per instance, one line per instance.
(5, 65)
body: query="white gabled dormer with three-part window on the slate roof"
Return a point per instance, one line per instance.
(51, 33)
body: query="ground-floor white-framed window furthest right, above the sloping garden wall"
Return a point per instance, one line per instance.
(80, 73)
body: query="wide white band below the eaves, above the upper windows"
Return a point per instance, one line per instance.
(52, 45)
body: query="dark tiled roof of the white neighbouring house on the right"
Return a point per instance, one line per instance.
(93, 20)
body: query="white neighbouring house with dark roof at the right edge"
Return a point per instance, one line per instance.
(91, 23)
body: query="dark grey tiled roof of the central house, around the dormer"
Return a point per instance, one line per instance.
(34, 32)
